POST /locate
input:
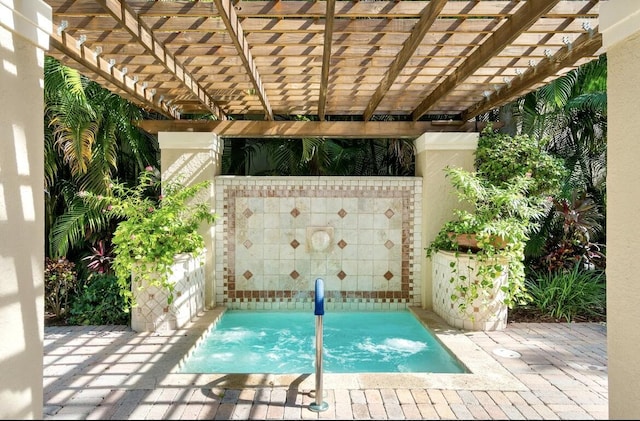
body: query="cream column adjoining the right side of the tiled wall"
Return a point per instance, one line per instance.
(434, 151)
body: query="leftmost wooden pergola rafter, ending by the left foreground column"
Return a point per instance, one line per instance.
(79, 52)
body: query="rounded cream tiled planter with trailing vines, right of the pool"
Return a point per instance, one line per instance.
(484, 316)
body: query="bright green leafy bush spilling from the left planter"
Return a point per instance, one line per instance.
(153, 228)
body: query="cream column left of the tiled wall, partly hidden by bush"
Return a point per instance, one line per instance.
(196, 157)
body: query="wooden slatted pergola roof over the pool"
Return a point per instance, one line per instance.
(433, 65)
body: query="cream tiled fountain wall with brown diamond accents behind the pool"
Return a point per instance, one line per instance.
(276, 235)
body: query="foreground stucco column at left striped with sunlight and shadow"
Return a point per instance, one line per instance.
(24, 37)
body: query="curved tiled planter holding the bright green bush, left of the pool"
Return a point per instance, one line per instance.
(152, 313)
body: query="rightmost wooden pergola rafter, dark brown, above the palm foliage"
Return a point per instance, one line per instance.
(585, 45)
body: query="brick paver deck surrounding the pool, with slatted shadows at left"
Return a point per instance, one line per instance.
(527, 371)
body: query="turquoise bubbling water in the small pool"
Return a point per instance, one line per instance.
(283, 342)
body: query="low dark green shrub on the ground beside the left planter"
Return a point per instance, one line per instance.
(99, 302)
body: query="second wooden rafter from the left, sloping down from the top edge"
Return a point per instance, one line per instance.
(129, 20)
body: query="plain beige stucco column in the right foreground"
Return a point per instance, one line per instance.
(620, 27)
